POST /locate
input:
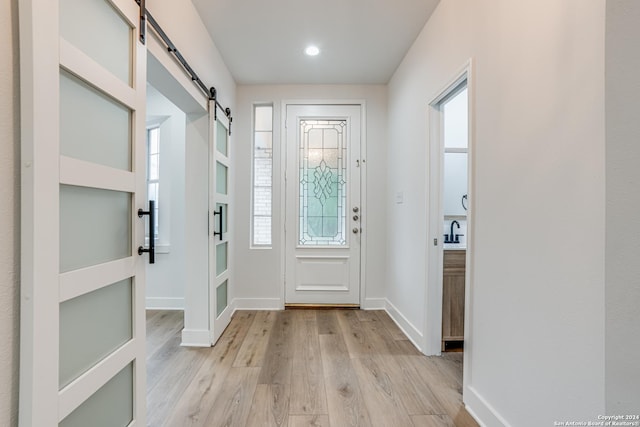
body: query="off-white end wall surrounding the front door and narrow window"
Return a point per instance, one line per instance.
(258, 271)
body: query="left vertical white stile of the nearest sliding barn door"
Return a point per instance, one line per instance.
(39, 212)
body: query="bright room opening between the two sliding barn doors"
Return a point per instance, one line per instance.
(177, 131)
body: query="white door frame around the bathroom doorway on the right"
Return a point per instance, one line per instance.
(433, 302)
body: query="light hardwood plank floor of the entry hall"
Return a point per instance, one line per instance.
(300, 368)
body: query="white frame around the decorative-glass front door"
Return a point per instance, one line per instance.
(363, 186)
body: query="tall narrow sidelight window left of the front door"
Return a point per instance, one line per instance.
(262, 175)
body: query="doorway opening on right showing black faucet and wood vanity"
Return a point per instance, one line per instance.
(450, 217)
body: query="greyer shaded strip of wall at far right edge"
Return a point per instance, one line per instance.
(623, 204)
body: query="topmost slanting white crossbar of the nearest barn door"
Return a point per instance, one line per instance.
(83, 66)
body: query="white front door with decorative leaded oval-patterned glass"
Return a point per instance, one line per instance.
(323, 211)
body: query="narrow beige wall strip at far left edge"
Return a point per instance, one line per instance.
(9, 212)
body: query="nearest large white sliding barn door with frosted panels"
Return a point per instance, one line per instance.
(82, 338)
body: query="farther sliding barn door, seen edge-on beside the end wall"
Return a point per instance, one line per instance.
(219, 203)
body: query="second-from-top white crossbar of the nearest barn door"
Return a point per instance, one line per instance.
(87, 174)
